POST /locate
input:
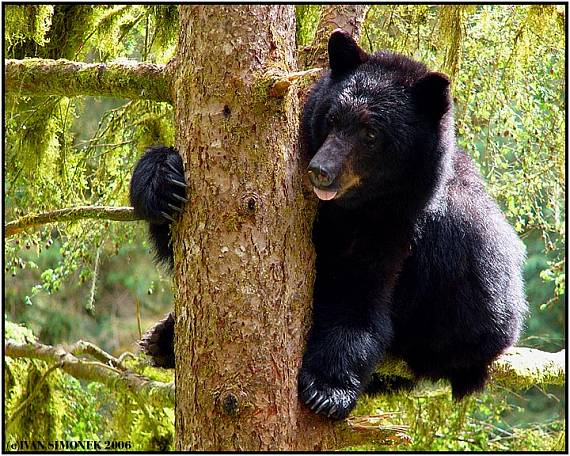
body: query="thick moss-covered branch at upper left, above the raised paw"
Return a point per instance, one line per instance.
(135, 81)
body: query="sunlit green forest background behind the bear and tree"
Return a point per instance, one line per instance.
(94, 279)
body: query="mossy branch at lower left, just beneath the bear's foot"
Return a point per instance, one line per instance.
(156, 393)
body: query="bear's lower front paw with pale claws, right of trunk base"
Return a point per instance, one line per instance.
(321, 397)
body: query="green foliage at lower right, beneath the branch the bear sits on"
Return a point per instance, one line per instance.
(437, 423)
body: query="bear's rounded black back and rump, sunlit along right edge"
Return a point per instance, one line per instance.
(462, 280)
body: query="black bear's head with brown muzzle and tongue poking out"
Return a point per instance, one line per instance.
(379, 125)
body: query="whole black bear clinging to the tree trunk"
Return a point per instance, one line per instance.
(413, 257)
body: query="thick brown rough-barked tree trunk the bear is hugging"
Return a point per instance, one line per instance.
(244, 259)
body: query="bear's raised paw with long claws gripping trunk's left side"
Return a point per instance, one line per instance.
(158, 186)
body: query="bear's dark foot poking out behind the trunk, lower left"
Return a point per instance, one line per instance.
(158, 343)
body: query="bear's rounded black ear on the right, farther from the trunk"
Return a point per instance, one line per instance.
(431, 93)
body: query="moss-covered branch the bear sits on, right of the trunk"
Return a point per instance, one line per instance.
(517, 368)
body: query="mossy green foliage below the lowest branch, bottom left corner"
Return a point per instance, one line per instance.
(56, 406)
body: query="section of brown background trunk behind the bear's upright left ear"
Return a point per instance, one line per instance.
(347, 17)
